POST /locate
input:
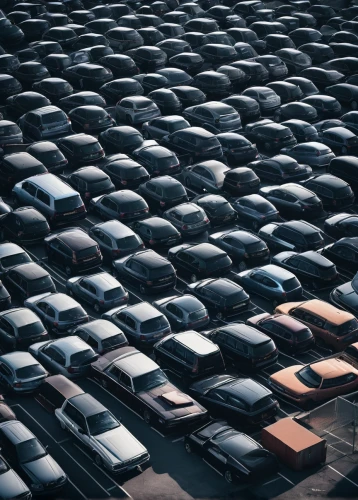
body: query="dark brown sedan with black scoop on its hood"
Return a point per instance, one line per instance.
(146, 383)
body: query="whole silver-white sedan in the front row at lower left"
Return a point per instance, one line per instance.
(113, 446)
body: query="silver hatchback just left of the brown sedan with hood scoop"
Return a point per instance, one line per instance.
(69, 356)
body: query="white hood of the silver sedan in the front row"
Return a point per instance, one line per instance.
(121, 443)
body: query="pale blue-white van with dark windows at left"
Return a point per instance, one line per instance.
(54, 198)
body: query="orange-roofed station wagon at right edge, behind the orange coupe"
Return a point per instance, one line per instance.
(330, 326)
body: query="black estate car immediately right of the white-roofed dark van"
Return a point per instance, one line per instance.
(244, 346)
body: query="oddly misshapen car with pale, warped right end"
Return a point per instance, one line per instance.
(208, 175)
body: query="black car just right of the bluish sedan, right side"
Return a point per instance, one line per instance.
(310, 267)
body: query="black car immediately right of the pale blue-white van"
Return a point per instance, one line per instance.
(90, 182)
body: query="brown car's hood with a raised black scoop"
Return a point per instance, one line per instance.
(170, 402)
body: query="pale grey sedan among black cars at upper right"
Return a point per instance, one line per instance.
(314, 154)
